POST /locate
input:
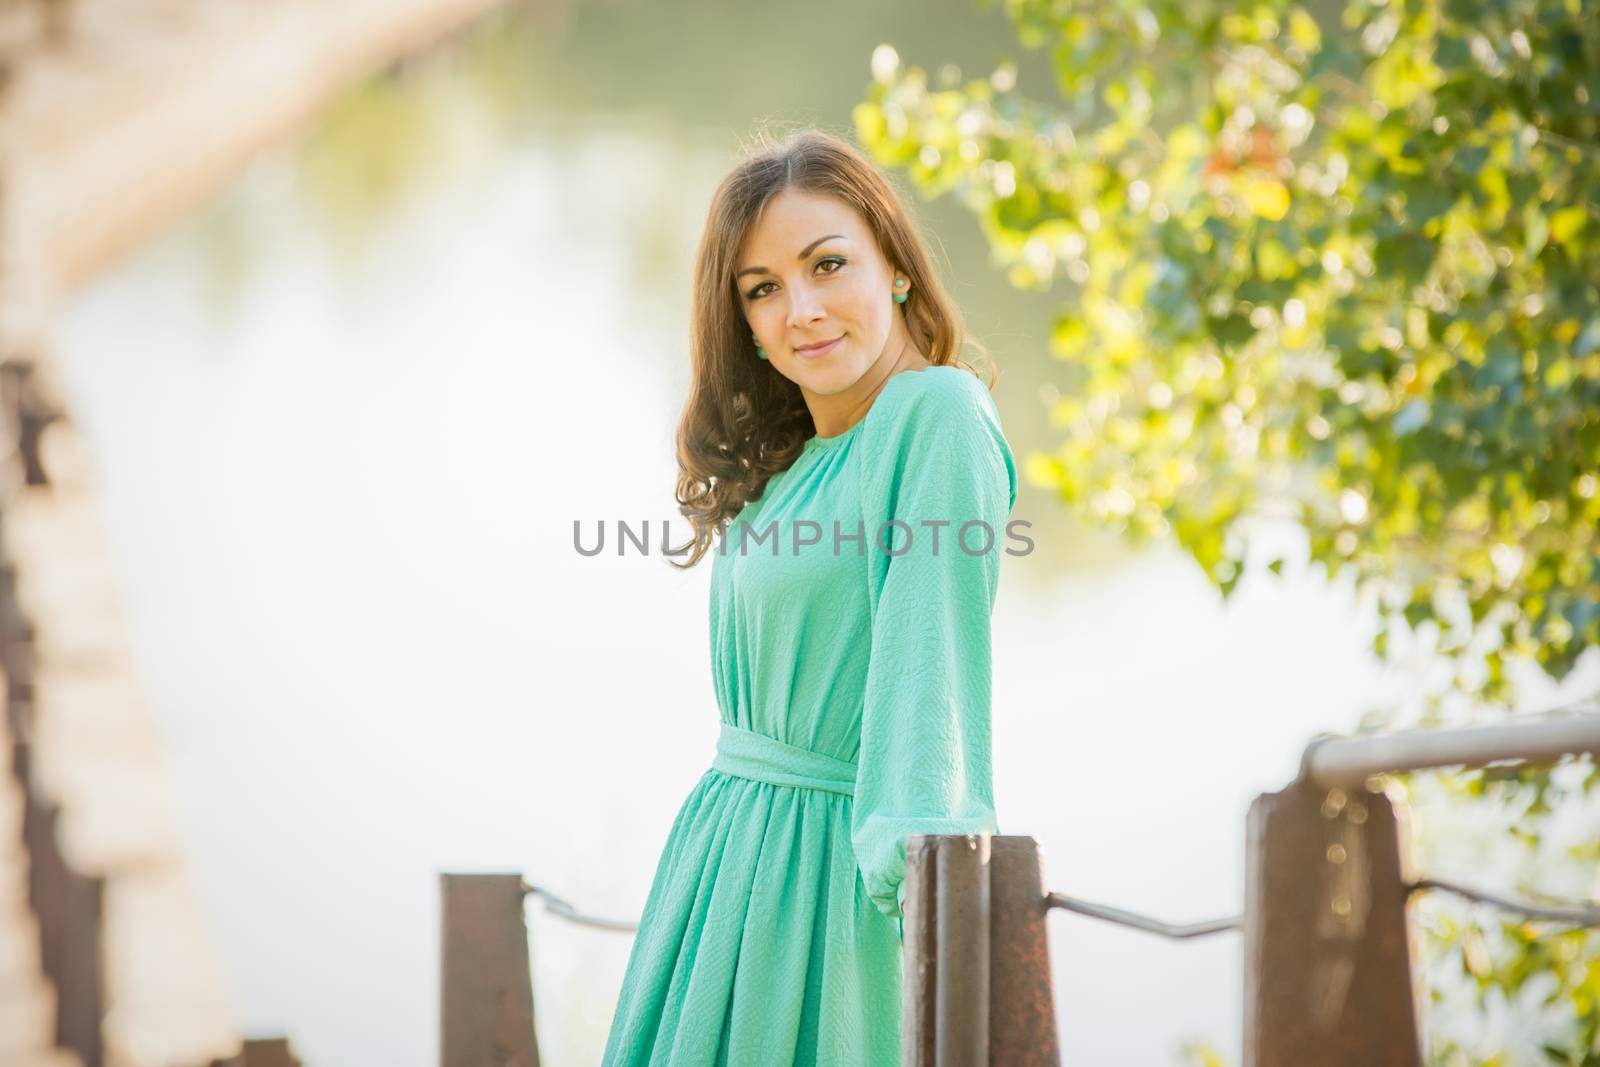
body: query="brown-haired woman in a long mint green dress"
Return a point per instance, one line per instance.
(860, 484)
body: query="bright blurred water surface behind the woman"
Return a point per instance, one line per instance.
(345, 418)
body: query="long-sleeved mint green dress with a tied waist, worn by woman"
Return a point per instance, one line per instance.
(854, 693)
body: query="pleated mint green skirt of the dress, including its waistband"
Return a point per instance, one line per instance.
(758, 943)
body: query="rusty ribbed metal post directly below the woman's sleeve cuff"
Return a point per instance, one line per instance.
(977, 969)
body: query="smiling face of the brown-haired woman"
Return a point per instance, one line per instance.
(809, 273)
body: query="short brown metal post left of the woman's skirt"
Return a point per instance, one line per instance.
(487, 980)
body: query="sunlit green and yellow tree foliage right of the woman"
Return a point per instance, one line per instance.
(1329, 265)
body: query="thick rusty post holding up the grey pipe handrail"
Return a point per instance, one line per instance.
(1329, 978)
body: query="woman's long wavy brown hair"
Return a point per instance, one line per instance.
(745, 422)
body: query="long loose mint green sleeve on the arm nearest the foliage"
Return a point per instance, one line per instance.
(938, 457)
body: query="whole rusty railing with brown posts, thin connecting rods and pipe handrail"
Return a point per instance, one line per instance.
(1329, 973)
